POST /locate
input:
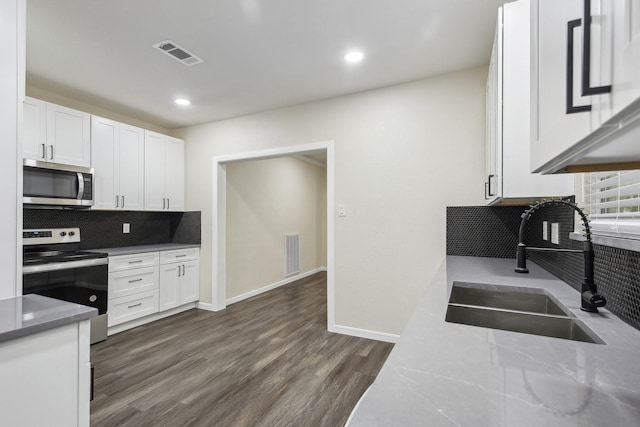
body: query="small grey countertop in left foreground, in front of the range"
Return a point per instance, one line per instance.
(29, 314)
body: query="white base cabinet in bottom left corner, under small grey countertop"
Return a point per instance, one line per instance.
(46, 378)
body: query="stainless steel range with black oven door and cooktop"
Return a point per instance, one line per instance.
(53, 266)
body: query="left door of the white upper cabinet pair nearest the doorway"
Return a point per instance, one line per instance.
(154, 197)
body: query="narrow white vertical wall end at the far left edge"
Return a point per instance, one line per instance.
(12, 30)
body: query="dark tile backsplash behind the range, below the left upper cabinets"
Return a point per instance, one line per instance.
(102, 229)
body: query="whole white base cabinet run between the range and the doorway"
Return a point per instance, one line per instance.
(152, 282)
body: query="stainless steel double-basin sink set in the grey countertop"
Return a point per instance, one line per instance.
(524, 310)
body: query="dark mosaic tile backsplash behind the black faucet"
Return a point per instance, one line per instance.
(493, 232)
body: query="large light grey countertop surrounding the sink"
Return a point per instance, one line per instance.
(448, 374)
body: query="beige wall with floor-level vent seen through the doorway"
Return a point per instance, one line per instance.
(265, 200)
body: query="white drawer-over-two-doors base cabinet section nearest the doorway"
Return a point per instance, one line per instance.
(179, 277)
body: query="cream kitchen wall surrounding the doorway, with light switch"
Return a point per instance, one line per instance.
(402, 154)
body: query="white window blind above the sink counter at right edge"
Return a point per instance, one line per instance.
(612, 201)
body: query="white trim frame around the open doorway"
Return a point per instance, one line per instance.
(219, 221)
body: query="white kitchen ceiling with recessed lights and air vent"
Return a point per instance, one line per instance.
(259, 54)
